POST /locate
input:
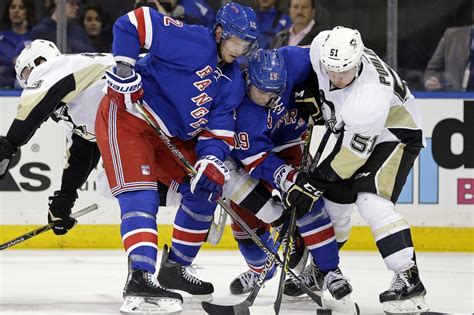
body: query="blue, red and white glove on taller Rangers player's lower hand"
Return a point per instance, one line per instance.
(210, 179)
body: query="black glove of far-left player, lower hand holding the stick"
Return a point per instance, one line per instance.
(59, 213)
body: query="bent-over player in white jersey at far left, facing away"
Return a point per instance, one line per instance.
(67, 88)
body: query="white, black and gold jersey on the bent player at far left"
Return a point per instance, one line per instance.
(70, 87)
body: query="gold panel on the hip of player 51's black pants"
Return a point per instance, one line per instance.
(387, 174)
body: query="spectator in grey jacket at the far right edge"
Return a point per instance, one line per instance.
(452, 65)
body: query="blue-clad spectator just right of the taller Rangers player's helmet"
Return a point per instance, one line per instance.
(270, 21)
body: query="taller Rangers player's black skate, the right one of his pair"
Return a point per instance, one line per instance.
(173, 275)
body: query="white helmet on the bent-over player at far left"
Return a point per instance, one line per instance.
(31, 56)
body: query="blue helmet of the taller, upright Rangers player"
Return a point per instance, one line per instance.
(239, 21)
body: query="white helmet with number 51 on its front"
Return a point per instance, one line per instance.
(341, 49)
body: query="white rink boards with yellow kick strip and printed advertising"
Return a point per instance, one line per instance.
(437, 200)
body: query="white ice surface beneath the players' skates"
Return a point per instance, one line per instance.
(91, 282)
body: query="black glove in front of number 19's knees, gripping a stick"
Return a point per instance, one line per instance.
(302, 195)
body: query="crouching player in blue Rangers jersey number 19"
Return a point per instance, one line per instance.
(269, 130)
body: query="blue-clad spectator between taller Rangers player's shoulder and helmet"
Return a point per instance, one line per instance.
(190, 11)
